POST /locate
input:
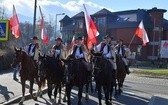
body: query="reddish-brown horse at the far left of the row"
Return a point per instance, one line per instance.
(28, 72)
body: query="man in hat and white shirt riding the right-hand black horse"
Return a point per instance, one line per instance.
(108, 51)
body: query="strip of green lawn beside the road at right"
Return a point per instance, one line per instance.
(153, 72)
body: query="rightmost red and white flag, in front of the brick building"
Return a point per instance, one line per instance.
(141, 33)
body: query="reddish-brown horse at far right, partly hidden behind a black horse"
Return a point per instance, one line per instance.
(121, 73)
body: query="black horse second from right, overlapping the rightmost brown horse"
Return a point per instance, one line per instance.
(103, 76)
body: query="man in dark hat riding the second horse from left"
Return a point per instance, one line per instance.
(58, 49)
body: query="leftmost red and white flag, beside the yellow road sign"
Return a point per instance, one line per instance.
(14, 24)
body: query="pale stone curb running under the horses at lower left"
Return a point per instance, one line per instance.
(27, 97)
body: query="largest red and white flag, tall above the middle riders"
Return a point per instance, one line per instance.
(91, 30)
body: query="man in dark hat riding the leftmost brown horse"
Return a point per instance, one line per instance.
(34, 50)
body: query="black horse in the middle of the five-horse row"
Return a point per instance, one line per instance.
(77, 76)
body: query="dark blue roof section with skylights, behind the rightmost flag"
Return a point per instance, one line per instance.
(131, 18)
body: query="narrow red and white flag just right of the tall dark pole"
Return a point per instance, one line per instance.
(44, 36)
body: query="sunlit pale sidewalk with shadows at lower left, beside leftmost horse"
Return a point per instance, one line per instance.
(9, 88)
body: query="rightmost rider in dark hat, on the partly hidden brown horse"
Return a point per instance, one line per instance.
(122, 52)
